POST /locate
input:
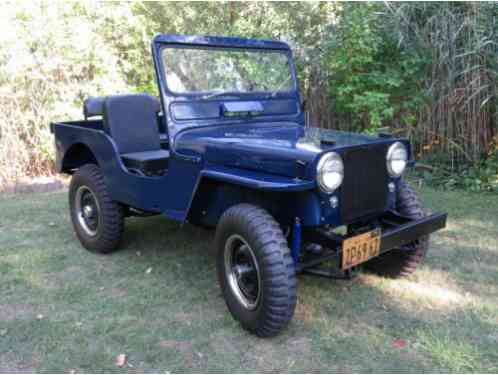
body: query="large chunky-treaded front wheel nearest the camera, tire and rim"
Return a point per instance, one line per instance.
(255, 270)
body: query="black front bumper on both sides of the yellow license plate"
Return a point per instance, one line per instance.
(397, 231)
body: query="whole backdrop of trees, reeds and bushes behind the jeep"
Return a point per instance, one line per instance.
(425, 70)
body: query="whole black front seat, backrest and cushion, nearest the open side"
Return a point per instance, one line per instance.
(131, 121)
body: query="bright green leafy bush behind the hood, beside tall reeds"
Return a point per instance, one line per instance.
(370, 76)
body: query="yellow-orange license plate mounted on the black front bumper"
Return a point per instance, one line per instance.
(359, 249)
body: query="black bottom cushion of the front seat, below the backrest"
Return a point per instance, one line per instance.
(148, 162)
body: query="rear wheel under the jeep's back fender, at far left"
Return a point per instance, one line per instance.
(97, 220)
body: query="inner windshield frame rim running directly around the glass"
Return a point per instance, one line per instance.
(244, 94)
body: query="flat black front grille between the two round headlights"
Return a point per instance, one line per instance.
(364, 189)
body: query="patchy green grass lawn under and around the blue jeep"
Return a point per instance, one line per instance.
(63, 309)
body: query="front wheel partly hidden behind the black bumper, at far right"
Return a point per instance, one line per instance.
(403, 262)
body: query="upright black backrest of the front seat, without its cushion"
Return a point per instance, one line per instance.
(131, 121)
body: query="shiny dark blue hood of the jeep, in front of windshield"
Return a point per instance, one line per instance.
(285, 149)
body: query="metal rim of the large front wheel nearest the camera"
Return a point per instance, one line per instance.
(242, 272)
